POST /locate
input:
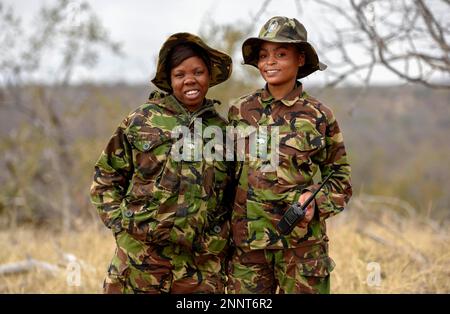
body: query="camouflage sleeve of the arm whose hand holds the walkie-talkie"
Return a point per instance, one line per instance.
(337, 191)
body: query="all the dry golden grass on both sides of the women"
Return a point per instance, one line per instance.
(413, 255)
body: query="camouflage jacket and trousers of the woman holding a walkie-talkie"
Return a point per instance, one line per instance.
(309, 140)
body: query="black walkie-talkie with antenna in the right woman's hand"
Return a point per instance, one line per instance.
(296, 212)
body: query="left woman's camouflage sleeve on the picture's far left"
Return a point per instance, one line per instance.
(111, 178)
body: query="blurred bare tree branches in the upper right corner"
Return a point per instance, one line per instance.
(409, 38)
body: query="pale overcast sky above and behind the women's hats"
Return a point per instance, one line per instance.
(142, 27)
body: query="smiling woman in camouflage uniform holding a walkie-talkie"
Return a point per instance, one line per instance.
(308, 140)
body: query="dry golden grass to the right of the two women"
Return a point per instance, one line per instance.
(412, 254)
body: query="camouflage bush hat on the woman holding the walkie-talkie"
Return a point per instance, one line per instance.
(280, 29)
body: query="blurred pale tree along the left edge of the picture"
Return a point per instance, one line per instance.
(66, 35)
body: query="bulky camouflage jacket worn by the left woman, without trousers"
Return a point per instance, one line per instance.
(139, 187)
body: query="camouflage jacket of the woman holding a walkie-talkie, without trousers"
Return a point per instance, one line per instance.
(309, 140)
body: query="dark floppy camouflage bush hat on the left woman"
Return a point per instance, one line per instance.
(220, 67)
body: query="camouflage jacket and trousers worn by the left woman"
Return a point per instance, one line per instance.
(169, 217)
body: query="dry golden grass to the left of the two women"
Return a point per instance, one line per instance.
(93, 246)
